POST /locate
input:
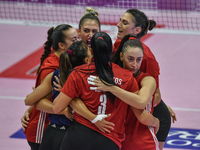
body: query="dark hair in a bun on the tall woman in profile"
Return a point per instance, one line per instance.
(141, 20)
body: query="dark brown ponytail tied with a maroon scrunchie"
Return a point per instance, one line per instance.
(71, 58)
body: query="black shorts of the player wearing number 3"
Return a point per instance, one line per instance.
(80, 137)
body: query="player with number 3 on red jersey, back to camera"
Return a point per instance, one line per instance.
(83, 134)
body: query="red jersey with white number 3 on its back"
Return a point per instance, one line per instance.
(97, 101)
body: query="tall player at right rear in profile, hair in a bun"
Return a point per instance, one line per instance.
(136, 22)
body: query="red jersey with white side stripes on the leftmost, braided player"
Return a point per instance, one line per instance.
(39, 119)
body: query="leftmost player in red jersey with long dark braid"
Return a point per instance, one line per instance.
(34, 121)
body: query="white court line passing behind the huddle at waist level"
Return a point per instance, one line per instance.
(23, 98)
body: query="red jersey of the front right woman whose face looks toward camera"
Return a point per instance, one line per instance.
(139, 136)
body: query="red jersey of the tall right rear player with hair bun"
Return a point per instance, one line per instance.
(149, 62)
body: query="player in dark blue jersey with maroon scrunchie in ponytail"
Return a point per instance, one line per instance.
(77, 54)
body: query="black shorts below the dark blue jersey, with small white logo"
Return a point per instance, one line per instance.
(53, 136)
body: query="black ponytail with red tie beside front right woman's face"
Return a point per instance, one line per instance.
(116, 56)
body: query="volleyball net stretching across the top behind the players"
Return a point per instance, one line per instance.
(169, 14)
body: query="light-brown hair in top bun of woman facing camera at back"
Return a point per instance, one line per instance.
(91, 14)
